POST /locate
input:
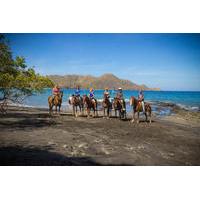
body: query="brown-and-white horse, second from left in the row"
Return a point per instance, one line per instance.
(76, 102)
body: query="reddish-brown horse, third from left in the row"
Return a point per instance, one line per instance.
(90, 104)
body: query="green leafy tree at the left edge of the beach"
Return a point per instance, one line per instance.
(17, 80)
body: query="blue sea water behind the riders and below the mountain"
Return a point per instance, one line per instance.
(187, 100)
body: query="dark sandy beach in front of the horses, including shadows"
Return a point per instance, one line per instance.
(29, 136)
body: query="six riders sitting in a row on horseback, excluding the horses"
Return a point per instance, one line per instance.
(106, 95)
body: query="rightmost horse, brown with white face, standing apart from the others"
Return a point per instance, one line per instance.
(137, 107)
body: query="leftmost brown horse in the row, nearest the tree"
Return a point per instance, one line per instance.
(55, 101)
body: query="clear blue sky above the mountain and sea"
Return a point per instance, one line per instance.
(168, 61)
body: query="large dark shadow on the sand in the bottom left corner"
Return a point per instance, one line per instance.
(23, 156)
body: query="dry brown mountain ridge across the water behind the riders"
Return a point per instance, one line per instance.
(106, 80)
